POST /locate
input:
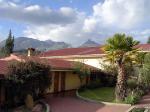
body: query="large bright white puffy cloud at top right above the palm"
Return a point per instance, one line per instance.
(121, 14)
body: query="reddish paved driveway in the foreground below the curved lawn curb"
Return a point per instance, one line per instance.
(73, 104)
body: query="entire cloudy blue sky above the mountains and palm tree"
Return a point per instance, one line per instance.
(75, 21)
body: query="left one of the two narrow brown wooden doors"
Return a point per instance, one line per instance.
(56, 82)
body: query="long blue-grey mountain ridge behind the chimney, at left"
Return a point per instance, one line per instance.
(22, 43)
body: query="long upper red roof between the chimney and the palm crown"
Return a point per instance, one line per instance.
(73, 51)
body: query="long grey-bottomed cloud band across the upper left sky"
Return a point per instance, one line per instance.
(36, 14)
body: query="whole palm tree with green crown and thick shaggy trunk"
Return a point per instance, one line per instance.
(119, 50)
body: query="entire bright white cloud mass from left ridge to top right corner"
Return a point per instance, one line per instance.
(109, 17)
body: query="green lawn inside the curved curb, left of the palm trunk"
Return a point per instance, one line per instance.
(106, 94)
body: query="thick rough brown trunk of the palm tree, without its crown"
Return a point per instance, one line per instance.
(121, 83)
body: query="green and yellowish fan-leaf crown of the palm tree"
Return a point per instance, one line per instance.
(120, 48)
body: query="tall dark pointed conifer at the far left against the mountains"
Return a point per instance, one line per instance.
(9, 45)
